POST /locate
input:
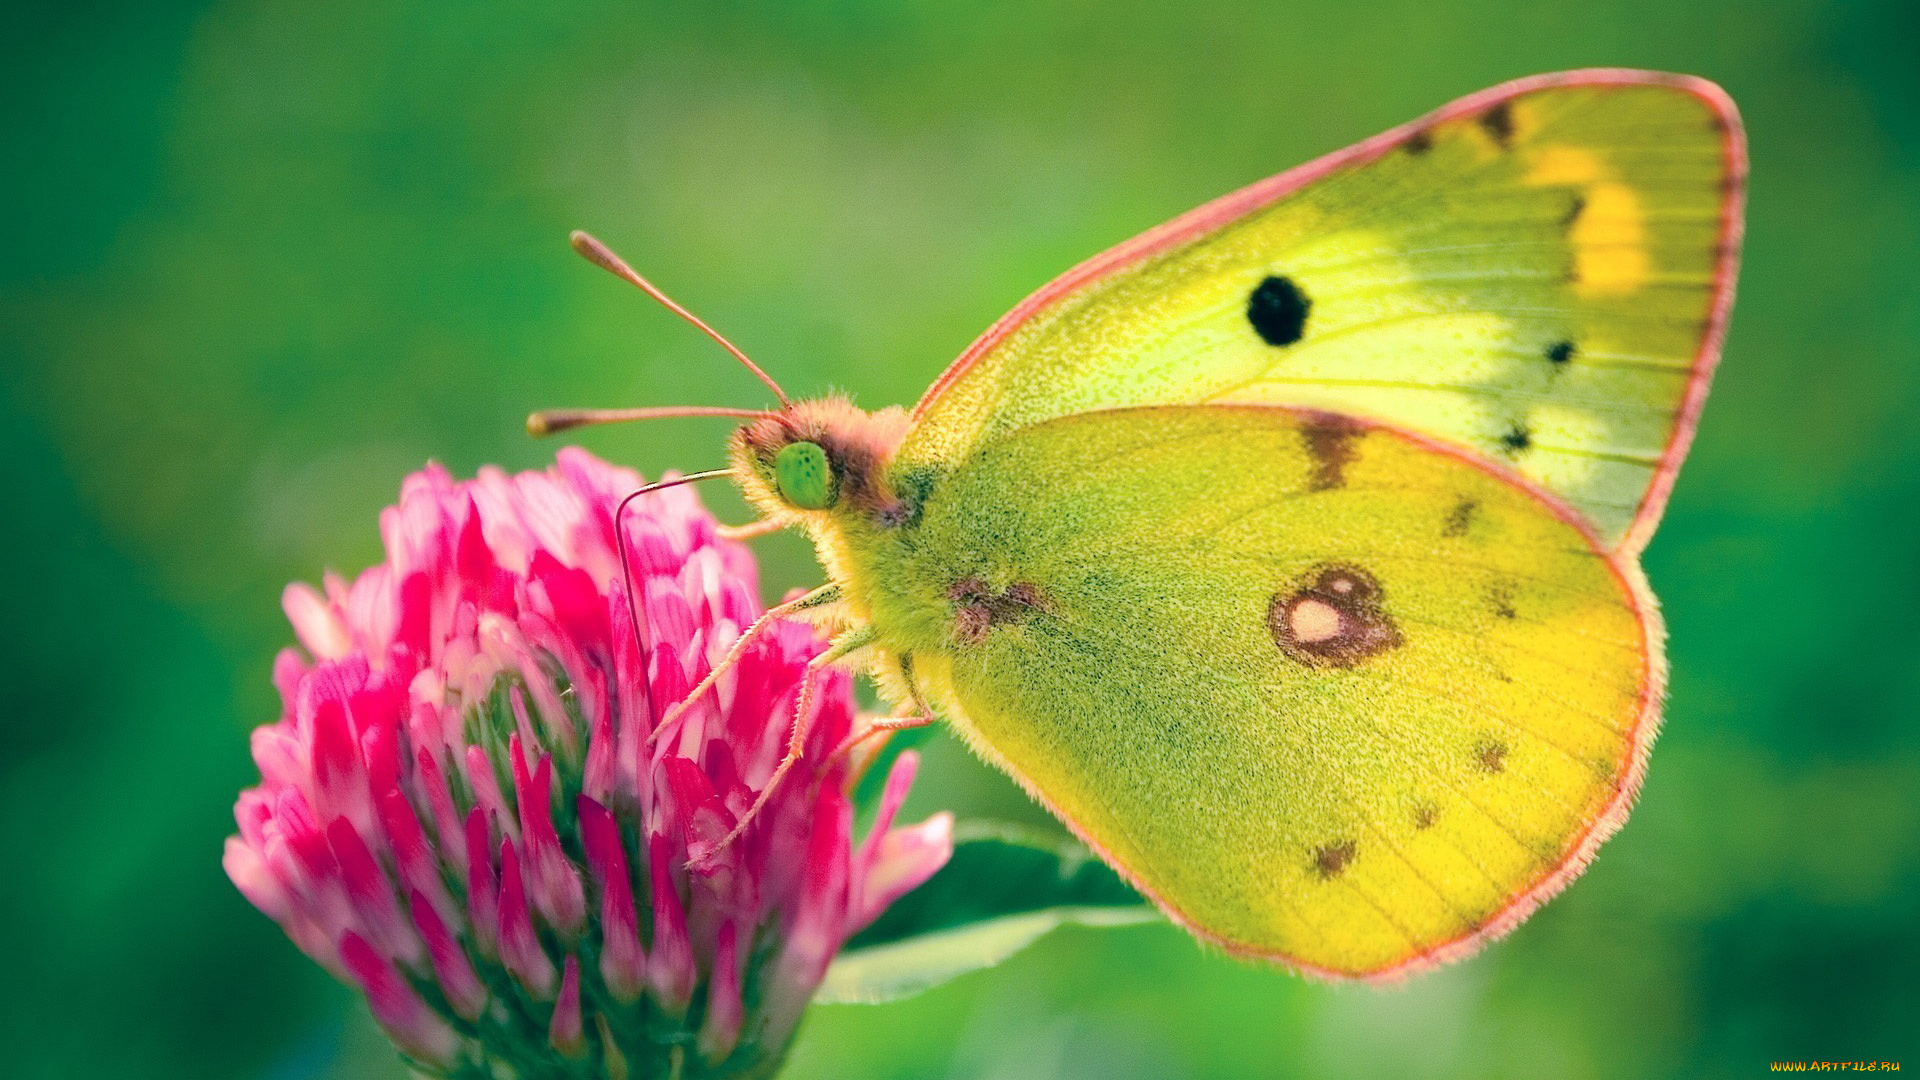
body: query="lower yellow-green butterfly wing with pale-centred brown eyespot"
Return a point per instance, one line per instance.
(1332, 695)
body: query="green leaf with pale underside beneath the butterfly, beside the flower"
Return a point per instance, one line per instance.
(1001, 891)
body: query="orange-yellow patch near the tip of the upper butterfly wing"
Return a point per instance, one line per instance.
(1610, 228)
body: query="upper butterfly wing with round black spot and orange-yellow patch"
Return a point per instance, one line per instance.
(1539, 274)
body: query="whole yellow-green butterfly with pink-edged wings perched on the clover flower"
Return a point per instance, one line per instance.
(1289, 552)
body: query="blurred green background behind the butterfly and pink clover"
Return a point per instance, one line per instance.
(262, 258)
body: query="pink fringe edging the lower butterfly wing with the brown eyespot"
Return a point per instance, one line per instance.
(1524, 902)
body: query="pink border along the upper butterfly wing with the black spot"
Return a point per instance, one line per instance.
(1236, 205)
